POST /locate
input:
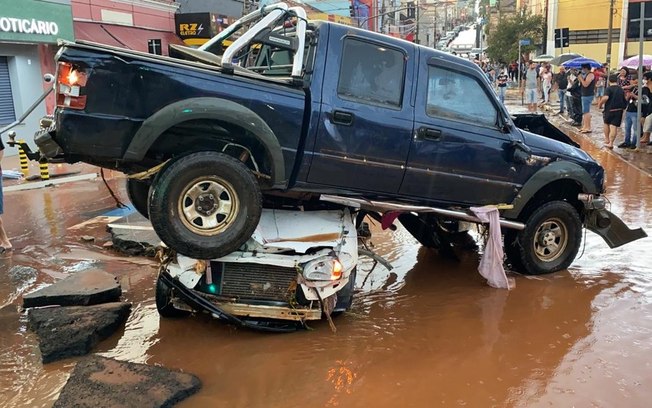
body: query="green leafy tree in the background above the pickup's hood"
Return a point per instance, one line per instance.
(502, 44)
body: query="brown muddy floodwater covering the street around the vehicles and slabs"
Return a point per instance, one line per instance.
(428, 333)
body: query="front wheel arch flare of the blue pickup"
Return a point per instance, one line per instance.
(557, 172)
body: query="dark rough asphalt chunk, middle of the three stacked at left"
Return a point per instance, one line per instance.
(68, 331)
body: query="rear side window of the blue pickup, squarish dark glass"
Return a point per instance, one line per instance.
(371, 73)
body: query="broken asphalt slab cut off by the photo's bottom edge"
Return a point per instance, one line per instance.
(98, 382)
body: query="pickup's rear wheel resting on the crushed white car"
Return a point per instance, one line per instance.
(205, 205)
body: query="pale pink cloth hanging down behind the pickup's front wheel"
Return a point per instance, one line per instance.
(491, 264)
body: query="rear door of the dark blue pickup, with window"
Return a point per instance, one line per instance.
(366, 120)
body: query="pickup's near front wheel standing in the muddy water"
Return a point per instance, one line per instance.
(549, 242)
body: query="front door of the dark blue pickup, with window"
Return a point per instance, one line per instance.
(459, 154)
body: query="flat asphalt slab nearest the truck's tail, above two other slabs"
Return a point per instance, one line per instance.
(81, 289)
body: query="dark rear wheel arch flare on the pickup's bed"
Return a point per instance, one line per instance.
(212, 109)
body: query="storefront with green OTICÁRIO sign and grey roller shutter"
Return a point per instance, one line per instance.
(29, 30)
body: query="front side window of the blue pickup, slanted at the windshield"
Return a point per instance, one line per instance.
(456, 96)
